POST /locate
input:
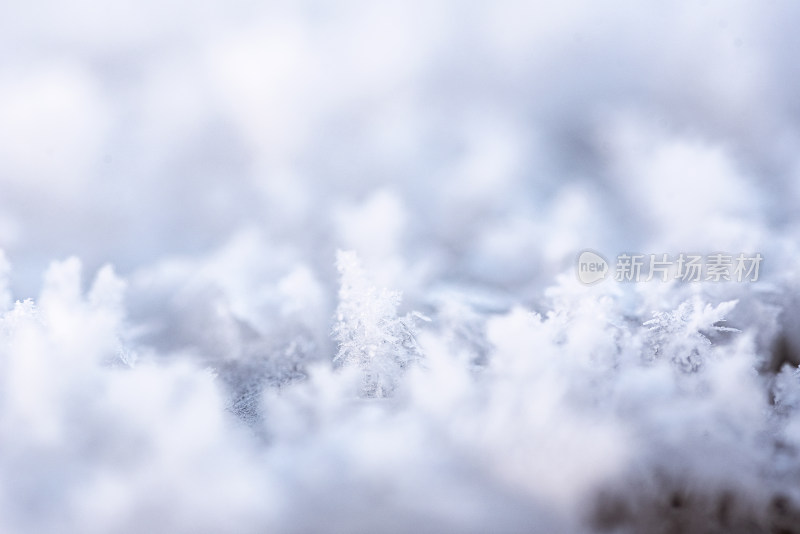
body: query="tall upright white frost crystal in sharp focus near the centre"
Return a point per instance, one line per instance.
(369, 331)
